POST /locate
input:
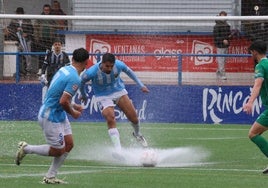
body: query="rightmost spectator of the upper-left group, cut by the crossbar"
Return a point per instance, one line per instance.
(61, 24)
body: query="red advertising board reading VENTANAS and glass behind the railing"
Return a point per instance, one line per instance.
(170, 45)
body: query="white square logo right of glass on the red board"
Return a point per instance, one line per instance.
(199, 47)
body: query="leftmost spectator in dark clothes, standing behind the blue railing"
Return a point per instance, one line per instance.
(21, 30)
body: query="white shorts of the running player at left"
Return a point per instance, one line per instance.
(55, 132)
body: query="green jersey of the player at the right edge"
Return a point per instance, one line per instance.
(261, 71)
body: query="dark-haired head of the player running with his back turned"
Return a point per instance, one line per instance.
(80, 59)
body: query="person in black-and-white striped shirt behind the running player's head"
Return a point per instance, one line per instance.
(54, 61)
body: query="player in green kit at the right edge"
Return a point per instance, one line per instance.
(258, 50)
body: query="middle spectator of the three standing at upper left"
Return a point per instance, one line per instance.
(44, 35)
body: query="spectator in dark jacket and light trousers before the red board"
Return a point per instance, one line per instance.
(222, 35)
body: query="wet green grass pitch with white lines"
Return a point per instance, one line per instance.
(234, 161)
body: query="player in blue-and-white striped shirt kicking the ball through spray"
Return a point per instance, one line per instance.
(110, 91)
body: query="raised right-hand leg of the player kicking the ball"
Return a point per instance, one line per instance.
(126, 105)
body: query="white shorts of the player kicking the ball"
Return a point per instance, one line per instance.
(110, 100)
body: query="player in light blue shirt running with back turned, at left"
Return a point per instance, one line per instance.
(53, 119)
